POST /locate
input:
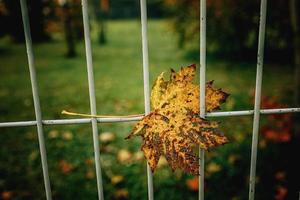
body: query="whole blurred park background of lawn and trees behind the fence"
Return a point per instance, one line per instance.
(232, 33)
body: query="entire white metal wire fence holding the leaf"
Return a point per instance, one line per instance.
(39, 122)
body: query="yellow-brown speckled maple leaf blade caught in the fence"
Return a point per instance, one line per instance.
(174, 126)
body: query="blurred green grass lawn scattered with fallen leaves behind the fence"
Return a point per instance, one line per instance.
(119, 90)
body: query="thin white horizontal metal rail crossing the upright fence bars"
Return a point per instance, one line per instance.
(128, 119)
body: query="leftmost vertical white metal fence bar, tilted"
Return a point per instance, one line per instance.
(36, 100)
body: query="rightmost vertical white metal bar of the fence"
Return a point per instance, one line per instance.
(260, 58)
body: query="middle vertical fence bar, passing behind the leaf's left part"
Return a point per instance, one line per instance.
(143, 5)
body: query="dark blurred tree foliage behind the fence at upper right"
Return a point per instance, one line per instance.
(232, 27)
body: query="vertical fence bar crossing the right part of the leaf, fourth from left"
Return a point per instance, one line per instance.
(202, 88)
